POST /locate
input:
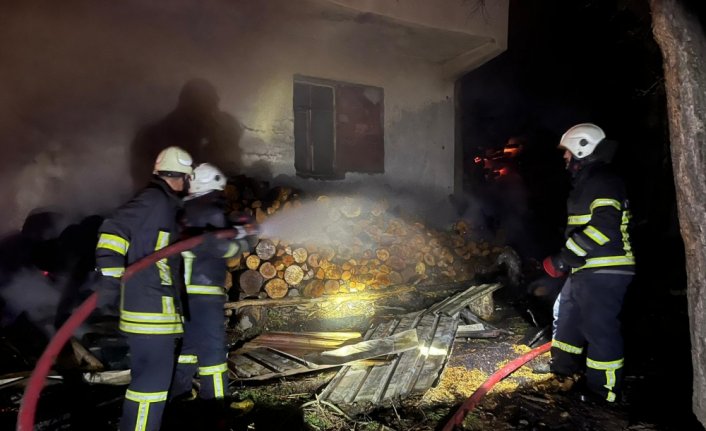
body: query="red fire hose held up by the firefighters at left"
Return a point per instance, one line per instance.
(28, 407)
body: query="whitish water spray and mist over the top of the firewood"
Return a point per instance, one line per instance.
(329, 216)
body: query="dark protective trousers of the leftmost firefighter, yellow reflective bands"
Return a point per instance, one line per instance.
(152, 359)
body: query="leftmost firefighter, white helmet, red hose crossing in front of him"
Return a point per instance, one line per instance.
(149, 308)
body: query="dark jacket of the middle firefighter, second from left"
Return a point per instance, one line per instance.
(204, 266)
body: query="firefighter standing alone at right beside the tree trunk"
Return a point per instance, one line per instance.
(598, 259)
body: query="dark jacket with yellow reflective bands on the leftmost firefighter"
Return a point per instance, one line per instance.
(149, 300)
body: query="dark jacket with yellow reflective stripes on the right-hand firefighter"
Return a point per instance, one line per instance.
(597, 237)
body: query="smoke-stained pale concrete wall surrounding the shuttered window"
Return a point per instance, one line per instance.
(81, 77)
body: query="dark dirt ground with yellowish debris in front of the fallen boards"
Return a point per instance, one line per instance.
(525, 400)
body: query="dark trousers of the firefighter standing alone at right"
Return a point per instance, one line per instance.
(588, 324)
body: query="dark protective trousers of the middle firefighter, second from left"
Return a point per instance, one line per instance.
(203, 349)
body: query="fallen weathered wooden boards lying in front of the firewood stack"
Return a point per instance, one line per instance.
(377, 369)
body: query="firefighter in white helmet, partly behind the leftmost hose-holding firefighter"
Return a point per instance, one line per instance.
(204, 345)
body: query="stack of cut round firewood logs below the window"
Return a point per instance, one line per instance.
(365, 246)
